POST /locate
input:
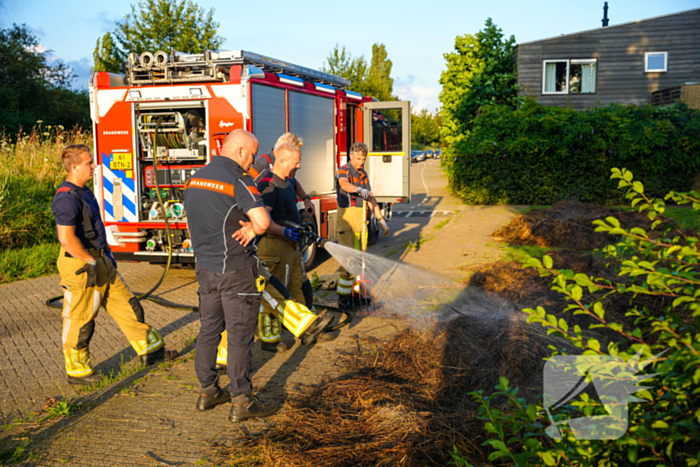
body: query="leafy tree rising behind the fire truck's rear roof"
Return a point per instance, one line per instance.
(156, 25)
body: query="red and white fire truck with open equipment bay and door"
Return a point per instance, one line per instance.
(168, 114)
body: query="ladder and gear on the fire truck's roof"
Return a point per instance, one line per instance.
(210, 66)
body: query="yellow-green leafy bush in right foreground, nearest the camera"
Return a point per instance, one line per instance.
(664, 428)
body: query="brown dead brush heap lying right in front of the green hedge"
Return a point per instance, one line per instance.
(568, 224)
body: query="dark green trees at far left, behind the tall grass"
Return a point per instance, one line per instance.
(32, 88)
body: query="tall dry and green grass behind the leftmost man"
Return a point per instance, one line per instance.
(30, 173)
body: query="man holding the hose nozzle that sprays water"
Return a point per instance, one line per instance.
(279, 252)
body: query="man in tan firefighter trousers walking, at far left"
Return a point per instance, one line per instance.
(89, 275)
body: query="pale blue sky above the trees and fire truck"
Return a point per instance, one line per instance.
(416, 34)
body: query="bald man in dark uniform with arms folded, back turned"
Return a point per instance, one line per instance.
(224, 213)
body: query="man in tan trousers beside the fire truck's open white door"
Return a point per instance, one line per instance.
(353, 190)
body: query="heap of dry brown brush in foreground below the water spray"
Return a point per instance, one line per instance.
(406, 403)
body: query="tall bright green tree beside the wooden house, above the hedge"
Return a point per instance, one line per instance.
(480, 71)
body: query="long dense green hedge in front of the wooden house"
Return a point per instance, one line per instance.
(540, 155)
